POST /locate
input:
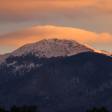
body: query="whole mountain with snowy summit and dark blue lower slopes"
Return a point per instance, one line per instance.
(56, 75)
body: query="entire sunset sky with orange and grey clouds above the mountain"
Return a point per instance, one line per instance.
(87, 21)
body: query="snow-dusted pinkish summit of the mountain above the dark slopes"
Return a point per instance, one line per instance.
(52, 48)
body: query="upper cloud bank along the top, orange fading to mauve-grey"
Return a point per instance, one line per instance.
(18, 10)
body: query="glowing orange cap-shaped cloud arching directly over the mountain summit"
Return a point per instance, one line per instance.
(29, 35)
